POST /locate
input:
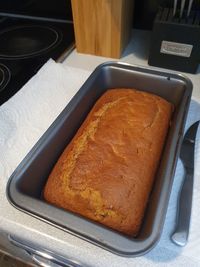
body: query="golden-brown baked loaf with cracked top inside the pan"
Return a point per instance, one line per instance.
(107, 171)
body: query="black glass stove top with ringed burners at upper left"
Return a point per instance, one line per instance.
(26, 44)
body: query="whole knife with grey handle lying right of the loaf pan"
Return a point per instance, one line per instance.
(184, 205)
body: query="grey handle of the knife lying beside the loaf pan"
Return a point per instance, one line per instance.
(184, 206)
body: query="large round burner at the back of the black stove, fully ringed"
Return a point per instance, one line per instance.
(27, 41)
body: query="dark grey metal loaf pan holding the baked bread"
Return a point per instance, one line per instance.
(26, 184)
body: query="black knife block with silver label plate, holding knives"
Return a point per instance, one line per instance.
(175, 42)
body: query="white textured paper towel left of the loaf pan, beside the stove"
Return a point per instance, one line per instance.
(26, 116)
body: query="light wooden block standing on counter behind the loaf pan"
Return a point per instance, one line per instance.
(102, 27)
